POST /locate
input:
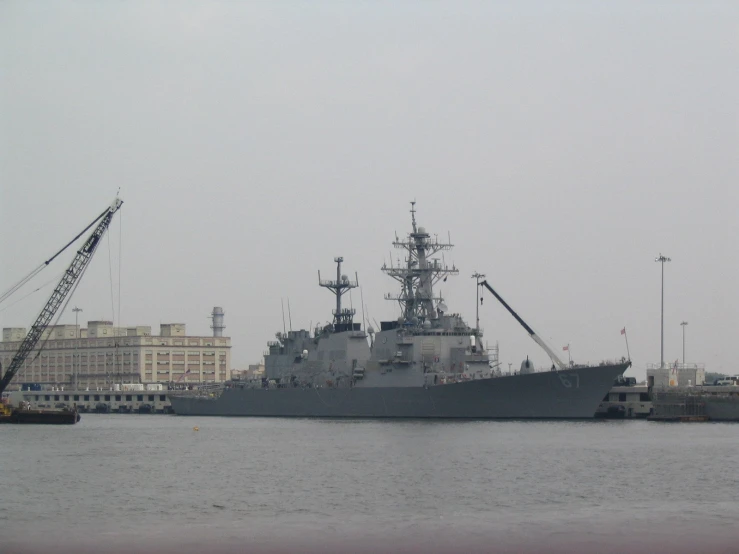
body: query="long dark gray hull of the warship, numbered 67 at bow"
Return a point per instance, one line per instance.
(569, 394)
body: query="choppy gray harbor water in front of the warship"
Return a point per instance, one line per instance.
(134, 483)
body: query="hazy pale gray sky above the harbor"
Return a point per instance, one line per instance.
(563, 145)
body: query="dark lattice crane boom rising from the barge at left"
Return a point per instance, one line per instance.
(62, 290)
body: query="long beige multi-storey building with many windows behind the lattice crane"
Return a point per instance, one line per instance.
(101, 355)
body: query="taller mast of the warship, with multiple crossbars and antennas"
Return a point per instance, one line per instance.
(420, 274)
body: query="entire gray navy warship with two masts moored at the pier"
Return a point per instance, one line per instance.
(428, 363)
